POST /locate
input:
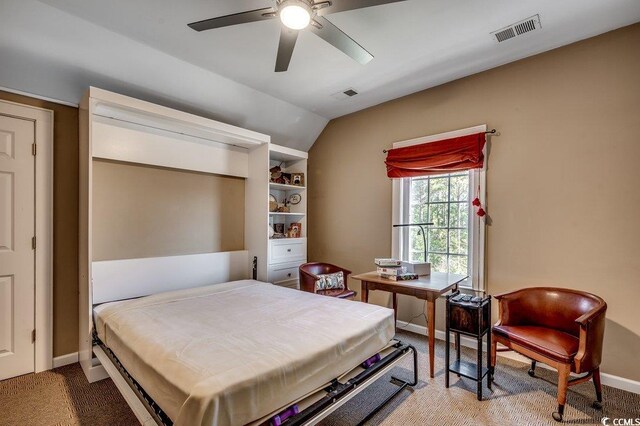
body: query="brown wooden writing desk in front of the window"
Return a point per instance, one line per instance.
(428, 288)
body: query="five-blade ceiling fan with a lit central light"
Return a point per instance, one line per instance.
(297, 15)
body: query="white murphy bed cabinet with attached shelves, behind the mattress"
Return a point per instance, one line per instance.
(120, 128)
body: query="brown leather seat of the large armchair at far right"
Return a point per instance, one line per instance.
(548, 342)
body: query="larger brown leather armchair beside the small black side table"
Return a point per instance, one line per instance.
(560, 327)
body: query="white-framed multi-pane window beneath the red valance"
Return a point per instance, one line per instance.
(455, 241)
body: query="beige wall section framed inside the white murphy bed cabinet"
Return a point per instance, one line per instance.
(143, 211)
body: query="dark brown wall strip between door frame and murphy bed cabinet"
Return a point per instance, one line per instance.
(65, 224)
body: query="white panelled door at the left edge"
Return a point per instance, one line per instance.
(17, 256)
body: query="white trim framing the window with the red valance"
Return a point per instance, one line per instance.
(479, 176)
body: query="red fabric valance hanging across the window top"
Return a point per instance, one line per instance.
(445, 156)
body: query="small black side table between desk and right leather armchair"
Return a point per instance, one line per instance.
(469, 318)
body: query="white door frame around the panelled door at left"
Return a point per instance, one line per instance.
(43, 132)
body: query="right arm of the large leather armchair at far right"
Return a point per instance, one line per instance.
(591, 339)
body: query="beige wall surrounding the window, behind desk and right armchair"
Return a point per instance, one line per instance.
(563, 179)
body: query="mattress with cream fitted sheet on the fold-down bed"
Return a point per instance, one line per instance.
(232, 353)
